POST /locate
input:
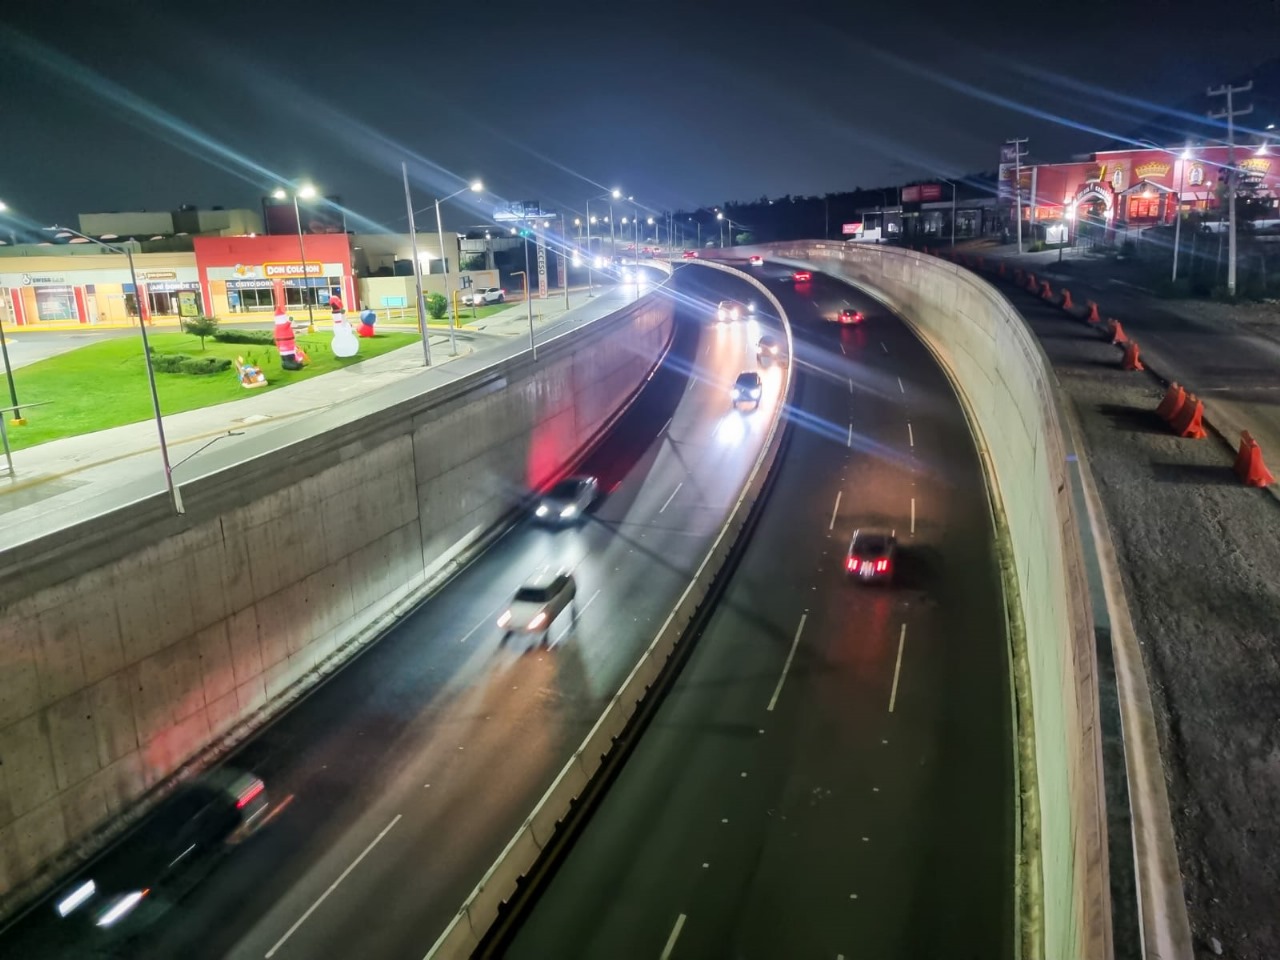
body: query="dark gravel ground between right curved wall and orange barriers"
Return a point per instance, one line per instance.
(1200, 557)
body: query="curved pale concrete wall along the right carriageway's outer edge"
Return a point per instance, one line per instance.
(1009, 394)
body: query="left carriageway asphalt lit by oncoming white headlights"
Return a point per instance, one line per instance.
(396, 784)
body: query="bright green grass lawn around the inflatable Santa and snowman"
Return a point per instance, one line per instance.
(106, 385)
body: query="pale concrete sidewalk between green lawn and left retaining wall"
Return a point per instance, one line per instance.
(61, 483)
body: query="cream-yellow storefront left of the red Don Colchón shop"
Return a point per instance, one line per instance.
(75, 290)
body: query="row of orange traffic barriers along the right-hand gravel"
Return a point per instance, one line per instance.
(1183, 412)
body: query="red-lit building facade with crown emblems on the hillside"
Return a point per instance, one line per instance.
(1136, 189)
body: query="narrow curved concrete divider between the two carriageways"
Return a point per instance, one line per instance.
(481, 909)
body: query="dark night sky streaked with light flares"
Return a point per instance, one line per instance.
(140, 104)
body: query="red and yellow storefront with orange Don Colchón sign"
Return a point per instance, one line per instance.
(241, 276)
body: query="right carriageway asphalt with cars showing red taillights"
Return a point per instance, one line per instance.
(831, 774)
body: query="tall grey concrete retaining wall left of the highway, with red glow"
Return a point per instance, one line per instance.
(139, 642)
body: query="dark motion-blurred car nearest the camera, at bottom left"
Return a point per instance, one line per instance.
(172, 851)
